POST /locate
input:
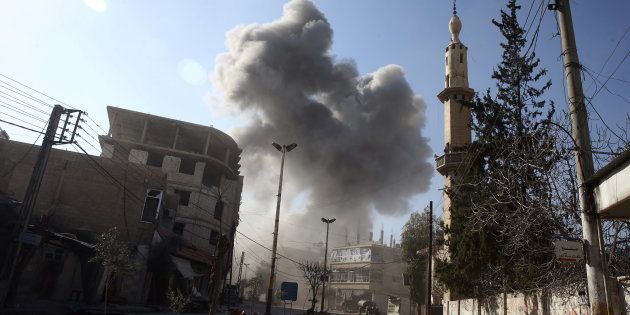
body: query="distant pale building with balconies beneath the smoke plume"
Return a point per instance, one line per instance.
(371, 272)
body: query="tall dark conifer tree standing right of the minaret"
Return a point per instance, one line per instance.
(504, 217)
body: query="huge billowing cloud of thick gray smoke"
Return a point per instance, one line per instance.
(359, 137)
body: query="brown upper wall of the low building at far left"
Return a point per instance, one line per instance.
(76, 196)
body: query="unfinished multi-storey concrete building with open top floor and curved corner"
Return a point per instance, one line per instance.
(201, 166)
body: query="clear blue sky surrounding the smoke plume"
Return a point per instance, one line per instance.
(159, 57)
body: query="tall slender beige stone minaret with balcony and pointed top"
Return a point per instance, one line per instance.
(457, 118)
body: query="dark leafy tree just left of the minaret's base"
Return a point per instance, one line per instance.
(415, 244)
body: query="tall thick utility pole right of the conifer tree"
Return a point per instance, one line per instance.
(591, 226)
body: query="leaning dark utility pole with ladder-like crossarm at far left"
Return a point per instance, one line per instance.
(67, 134)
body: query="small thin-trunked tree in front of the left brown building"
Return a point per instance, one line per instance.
(113, 253)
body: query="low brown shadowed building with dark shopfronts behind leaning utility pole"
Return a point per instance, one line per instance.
(76, 202)
